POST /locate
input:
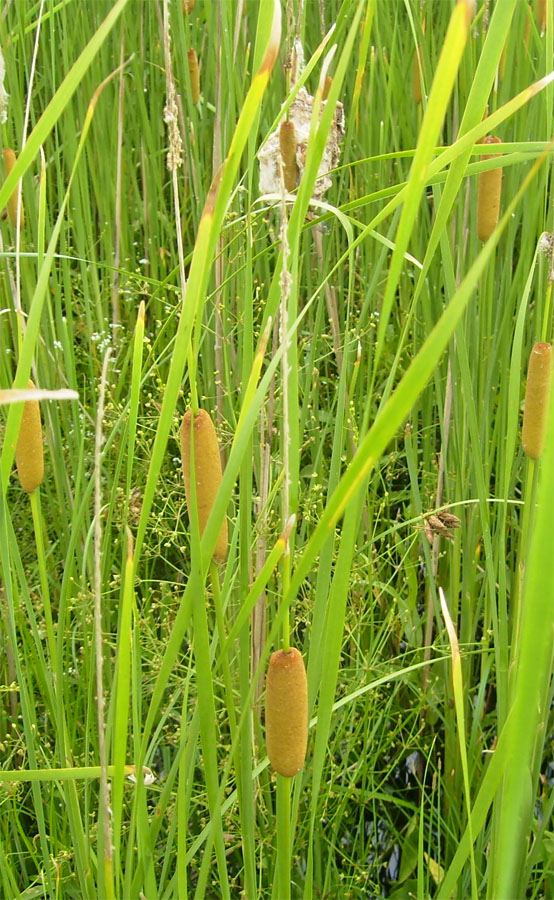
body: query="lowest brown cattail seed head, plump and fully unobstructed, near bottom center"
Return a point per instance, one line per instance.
(286, 712)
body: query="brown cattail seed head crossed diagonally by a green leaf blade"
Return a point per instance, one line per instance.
(208, 472)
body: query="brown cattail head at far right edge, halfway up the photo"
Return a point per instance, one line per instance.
(537, 394)
